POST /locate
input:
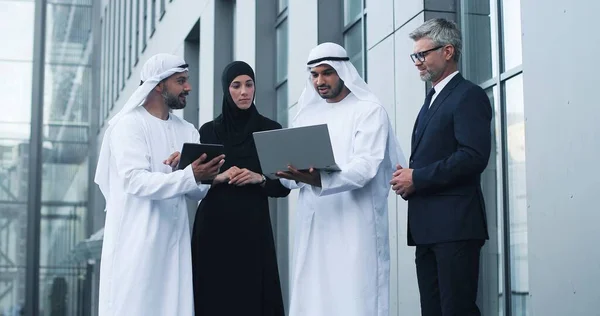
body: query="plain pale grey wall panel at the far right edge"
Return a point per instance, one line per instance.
(560, 48)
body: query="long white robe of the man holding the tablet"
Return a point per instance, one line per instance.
(146, 266)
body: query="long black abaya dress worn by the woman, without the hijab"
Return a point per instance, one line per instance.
(233, 251)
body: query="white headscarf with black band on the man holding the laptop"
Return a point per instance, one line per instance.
(336, 56)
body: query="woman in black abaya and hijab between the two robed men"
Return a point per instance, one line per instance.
(233, 252)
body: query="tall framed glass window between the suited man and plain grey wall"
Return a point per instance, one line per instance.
(504, 256)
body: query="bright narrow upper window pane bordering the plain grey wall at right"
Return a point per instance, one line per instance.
(511, 30)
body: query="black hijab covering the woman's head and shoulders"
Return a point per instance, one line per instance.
(234, 127)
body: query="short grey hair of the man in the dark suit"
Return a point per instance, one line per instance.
(441, 32)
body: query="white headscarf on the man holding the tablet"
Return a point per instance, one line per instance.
(156, 68)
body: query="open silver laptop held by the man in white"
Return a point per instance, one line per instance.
(302, 147)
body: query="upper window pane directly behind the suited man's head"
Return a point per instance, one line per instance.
(480, 45)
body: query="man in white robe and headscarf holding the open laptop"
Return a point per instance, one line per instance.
(341, 258)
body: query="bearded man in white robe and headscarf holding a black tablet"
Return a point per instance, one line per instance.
(146, 264)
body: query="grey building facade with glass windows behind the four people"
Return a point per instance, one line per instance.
(541, 258)
